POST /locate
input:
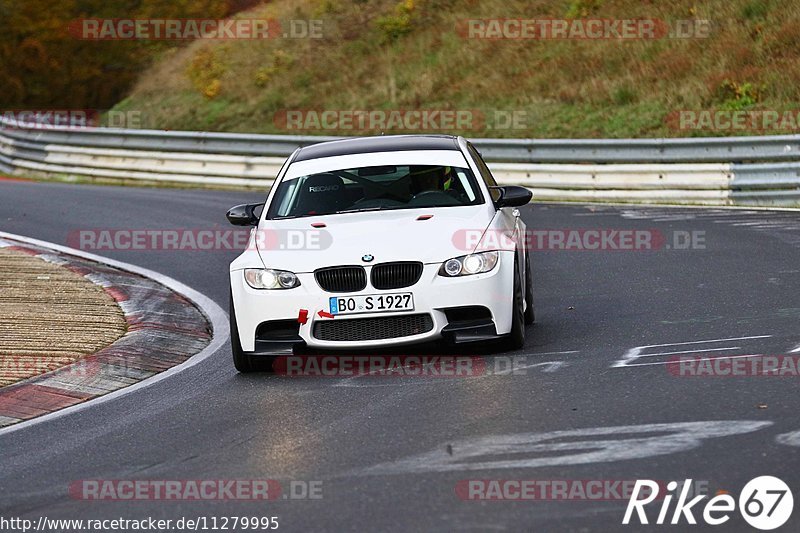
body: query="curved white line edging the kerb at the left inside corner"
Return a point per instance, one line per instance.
(215, 314)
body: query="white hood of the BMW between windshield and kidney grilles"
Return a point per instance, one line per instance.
(399, 235)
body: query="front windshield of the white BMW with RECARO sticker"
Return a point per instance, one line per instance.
(375, 188)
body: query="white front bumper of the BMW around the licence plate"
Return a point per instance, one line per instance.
(433, 295)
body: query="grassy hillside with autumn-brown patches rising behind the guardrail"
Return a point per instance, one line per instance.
(416, 55)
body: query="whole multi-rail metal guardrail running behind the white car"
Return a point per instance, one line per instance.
(720, 171)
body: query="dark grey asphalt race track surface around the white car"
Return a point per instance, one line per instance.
(390, 451)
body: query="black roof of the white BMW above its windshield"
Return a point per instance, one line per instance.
(383, 143)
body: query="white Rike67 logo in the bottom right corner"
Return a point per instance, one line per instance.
(765, 503)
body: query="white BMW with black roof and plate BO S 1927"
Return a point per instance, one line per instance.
(377, 242)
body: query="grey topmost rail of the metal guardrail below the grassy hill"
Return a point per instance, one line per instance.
(684, 150)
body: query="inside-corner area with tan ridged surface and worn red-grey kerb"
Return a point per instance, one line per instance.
(73, 329)
